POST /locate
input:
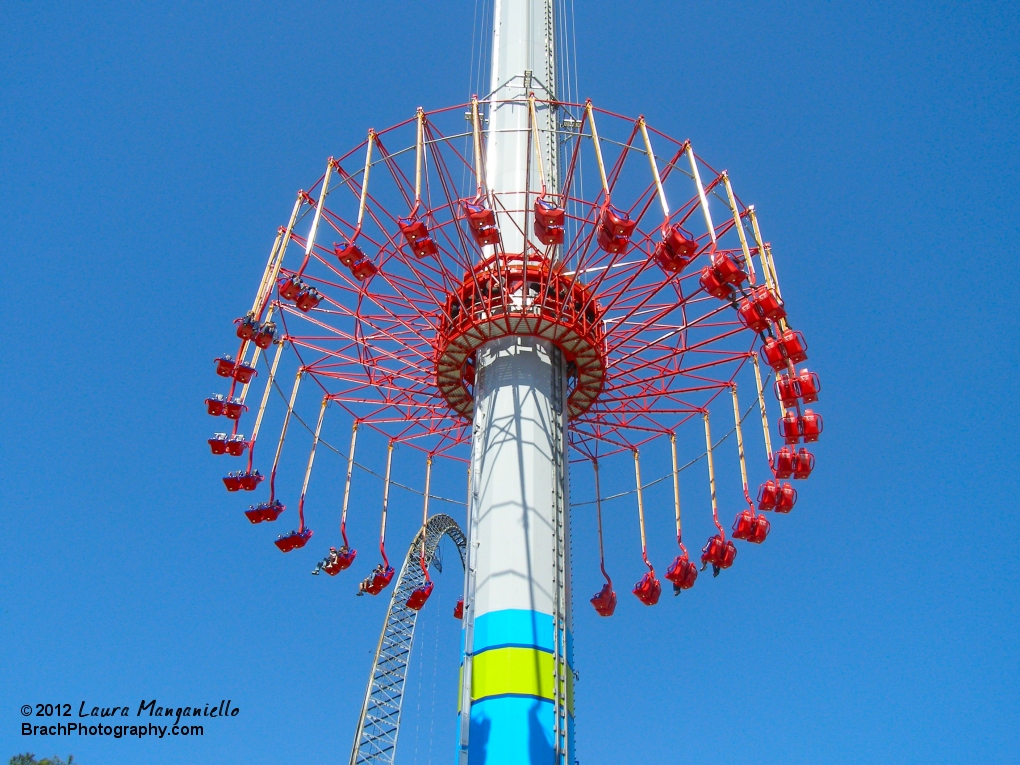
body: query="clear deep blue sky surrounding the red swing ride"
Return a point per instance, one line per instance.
(147, 155)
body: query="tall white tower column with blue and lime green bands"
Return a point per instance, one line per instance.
(516, 705)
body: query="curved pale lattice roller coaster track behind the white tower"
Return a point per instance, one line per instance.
(376, 741)
